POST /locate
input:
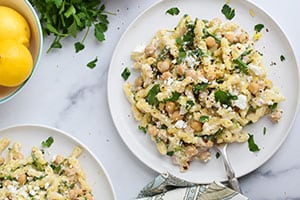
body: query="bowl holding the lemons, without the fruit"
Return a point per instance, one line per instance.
(36, 42)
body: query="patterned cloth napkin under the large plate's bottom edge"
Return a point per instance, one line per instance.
(168, 187)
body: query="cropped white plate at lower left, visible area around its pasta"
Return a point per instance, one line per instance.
(33, 135)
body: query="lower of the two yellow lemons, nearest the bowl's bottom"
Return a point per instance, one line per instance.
(15, 63)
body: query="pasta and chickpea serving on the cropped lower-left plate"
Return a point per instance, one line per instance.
(35, 178)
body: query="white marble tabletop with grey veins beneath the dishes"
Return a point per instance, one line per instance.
(65, 94)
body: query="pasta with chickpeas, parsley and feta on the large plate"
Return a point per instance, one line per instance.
(200, 85)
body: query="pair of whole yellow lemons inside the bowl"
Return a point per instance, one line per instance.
(16, 61)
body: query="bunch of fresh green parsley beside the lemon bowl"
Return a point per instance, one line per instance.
(64, 18)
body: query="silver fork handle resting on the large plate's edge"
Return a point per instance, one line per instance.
(232, 179)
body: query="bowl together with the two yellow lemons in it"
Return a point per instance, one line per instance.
(21, 41)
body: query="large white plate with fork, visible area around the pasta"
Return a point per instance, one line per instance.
(272, 44)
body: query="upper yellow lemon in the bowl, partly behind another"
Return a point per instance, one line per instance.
(13, 26)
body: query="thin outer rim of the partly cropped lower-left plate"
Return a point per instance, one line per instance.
(69, 137)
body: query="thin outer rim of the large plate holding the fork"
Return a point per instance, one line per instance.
(297, 97)
